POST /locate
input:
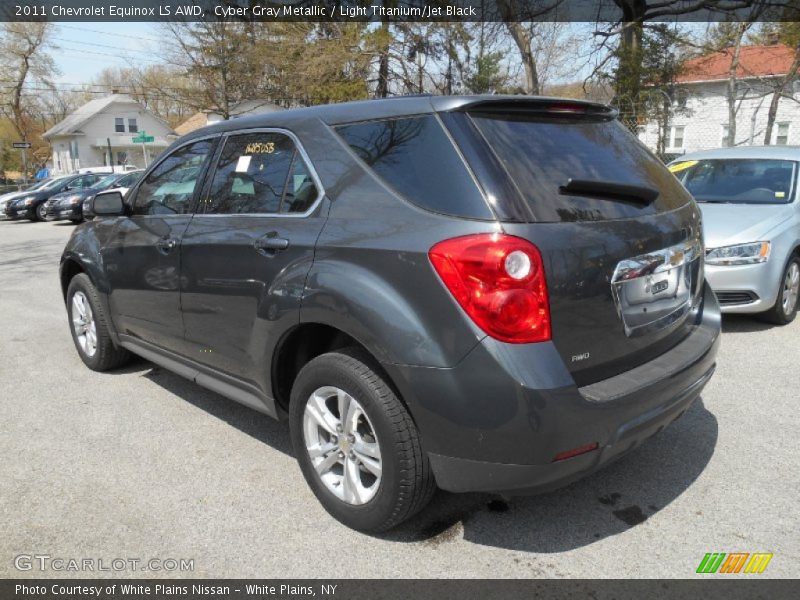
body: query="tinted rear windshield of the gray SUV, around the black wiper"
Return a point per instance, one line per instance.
(540, 154)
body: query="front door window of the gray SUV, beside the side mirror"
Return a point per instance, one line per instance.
(170, 187)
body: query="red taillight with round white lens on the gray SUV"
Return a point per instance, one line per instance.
(499, 281)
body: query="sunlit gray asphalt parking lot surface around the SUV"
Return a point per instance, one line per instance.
(142, 464)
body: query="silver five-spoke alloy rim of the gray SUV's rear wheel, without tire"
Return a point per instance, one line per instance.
(342, 445)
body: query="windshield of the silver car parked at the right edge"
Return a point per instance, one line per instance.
(740, 180)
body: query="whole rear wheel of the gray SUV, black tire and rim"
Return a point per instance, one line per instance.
(356, 443)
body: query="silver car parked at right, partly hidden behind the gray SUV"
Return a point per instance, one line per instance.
(751, 217)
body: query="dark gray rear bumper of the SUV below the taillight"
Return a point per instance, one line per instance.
(497, 420)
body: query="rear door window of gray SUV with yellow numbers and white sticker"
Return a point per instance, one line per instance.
(260, 173)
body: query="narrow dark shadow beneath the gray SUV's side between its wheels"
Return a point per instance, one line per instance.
(255, 424)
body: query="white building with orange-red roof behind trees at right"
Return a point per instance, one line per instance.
(699, 118)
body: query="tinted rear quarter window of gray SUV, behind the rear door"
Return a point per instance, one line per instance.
(415, 157)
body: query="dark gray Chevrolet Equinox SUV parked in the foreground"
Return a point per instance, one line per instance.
(476, 293)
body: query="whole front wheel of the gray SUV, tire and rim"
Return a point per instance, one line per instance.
(89, 327)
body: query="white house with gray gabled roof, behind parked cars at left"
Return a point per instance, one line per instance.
(84, 137)
